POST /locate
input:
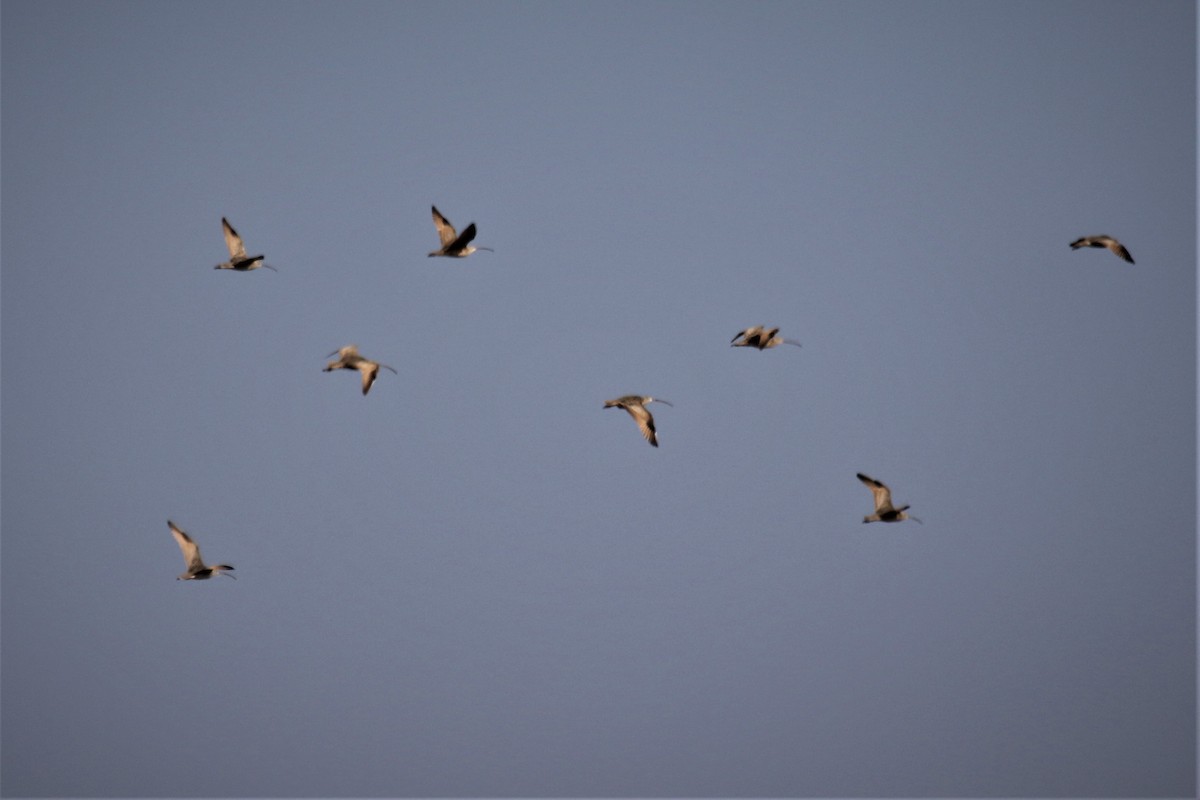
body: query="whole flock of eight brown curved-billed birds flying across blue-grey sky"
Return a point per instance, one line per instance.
(455, 245)
